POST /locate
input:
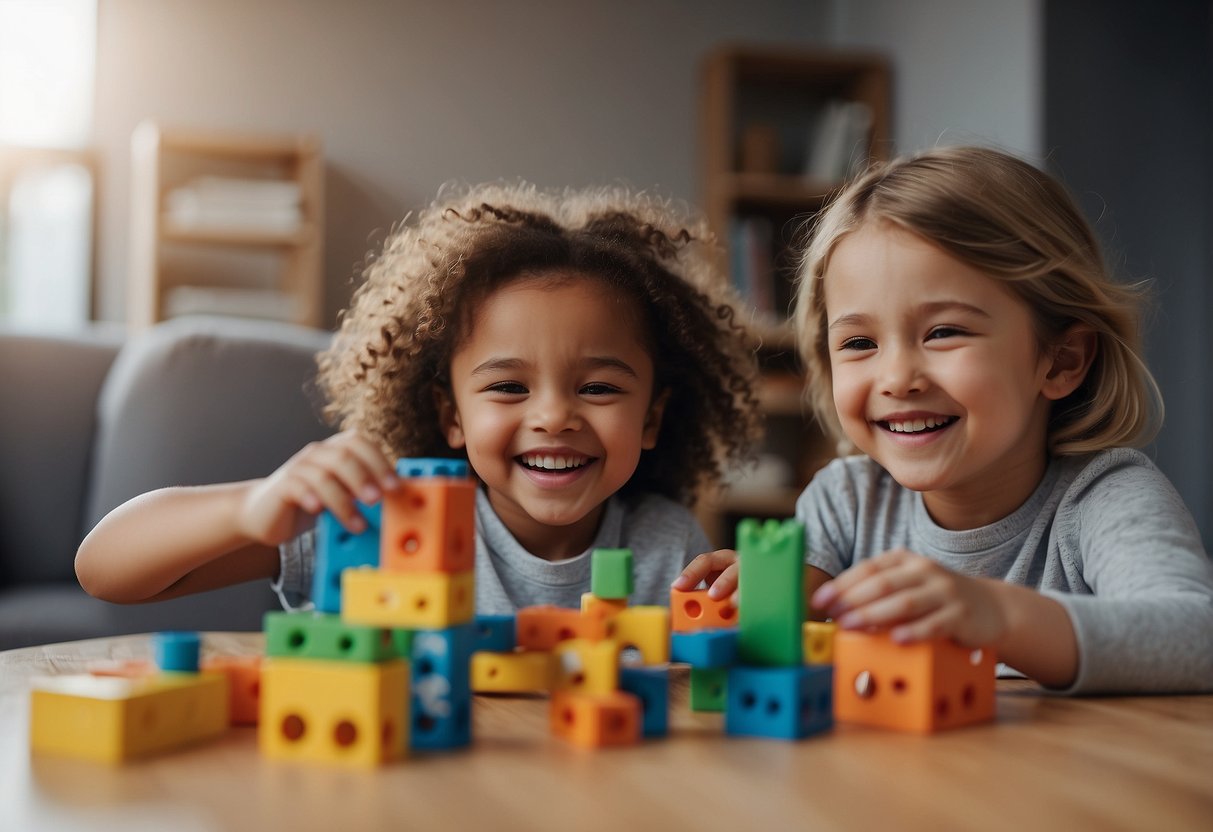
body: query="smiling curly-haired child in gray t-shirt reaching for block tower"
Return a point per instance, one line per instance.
(574, 346)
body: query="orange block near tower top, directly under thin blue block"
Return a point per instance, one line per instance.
(430, 527)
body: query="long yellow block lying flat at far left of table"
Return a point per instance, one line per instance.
(113, 720)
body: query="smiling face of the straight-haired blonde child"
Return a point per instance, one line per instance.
(937, 374)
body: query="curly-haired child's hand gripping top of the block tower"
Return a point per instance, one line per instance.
(331, 475)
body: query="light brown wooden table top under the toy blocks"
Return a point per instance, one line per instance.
(1049, 762)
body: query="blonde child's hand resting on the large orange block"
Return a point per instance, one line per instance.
(915, 597)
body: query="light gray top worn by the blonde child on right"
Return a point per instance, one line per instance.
(1106, 535)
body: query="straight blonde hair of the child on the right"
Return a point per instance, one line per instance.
(1016, 225)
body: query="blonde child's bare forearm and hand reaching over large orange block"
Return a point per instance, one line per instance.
(919, 600)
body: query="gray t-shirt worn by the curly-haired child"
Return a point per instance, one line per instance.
(664, 538)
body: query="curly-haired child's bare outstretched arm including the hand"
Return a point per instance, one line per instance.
(184, 540)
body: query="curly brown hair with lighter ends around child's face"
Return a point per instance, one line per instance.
(395, 345)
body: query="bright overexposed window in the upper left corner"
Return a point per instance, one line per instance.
(48, 54)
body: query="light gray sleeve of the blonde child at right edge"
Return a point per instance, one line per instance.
(1149, 625)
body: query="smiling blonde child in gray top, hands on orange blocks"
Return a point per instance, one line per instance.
(961, 332)
